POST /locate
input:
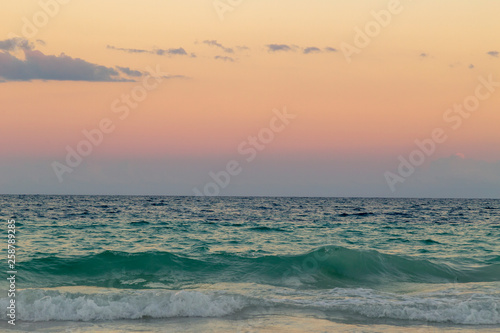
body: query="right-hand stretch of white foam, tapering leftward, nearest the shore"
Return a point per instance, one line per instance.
(440, 307)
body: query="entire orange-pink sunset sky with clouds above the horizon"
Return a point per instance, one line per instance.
(239, 97)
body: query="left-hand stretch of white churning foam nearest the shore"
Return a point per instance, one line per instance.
(47, 305)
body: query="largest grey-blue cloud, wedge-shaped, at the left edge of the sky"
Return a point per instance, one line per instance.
(38, 66)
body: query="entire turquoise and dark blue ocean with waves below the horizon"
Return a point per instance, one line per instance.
(252, 264)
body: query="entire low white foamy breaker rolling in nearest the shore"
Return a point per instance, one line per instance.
(445, 306)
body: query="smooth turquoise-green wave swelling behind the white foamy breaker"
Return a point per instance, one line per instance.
(325, 267)
